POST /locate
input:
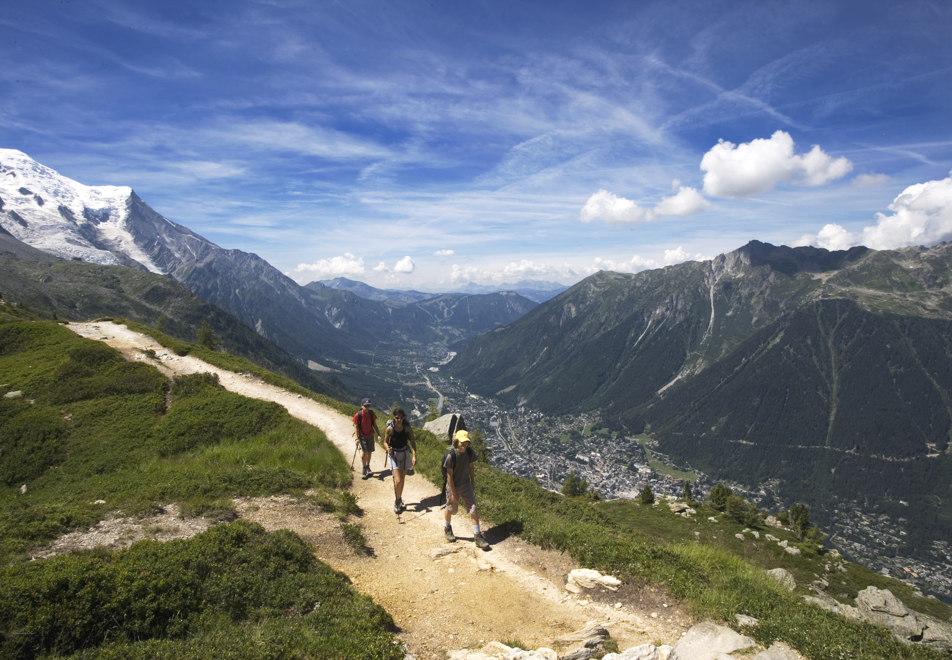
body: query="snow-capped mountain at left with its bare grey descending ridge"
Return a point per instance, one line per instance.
(112, 225)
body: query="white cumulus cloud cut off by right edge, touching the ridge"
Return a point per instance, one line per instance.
(921, 215)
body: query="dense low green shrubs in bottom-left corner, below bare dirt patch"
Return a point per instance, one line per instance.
(236, 577)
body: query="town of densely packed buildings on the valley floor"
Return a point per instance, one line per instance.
(530, 444)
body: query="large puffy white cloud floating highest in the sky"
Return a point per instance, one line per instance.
(759, 165)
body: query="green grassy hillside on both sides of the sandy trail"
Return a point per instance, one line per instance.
(96, 427)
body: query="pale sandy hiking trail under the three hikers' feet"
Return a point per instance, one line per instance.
(514, 592)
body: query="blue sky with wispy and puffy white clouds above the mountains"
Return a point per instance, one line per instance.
(423, 144)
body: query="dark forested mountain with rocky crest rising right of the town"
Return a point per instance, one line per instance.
(829, 373)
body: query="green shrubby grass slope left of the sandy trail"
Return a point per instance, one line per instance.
(90, 427)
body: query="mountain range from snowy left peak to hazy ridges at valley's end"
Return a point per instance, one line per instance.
(319, 325)
